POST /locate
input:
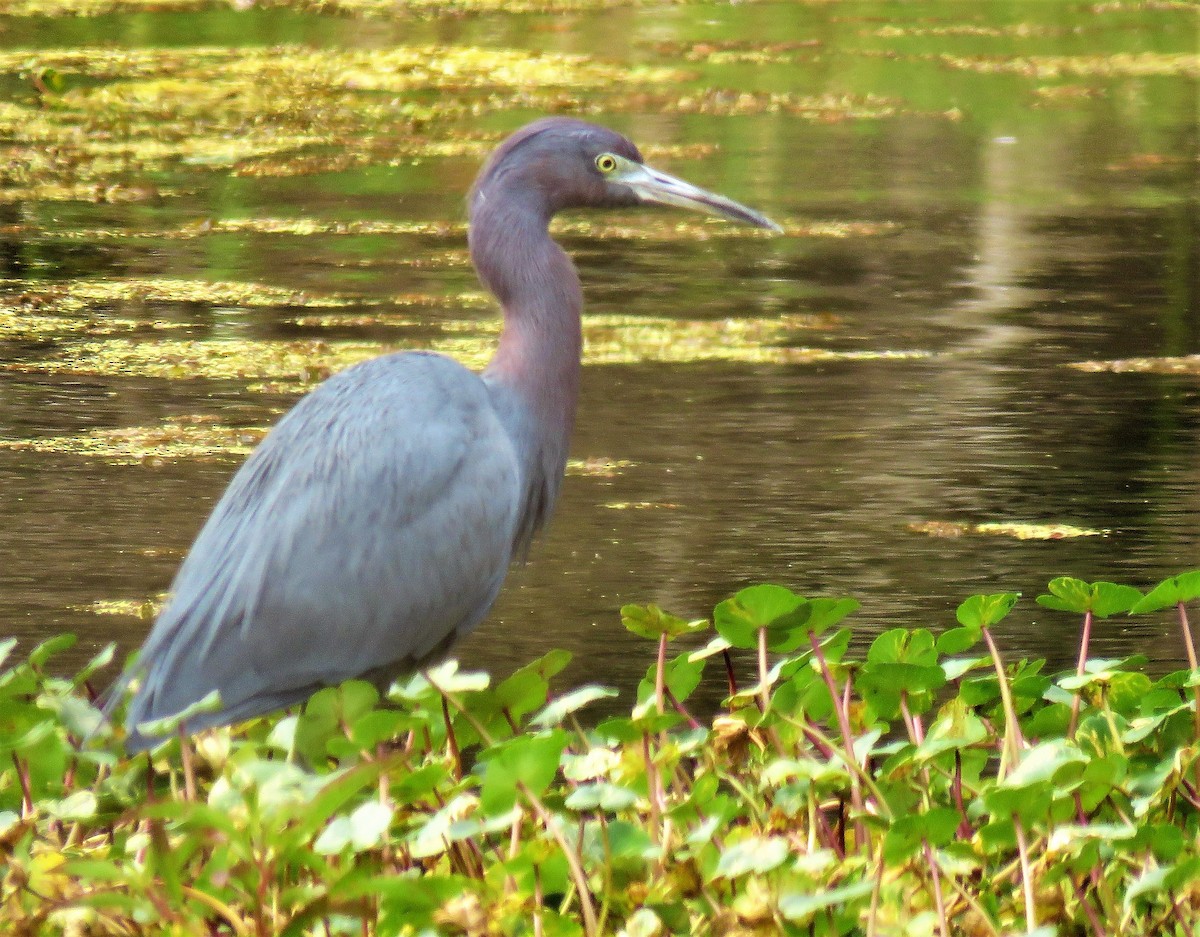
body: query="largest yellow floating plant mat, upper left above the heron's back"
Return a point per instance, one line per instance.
(109, 113)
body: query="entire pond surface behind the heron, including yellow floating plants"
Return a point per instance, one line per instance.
(206, 209)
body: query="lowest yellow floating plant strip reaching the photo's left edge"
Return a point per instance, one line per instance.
(197, 437)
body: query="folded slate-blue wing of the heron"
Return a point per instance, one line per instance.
(371, 527)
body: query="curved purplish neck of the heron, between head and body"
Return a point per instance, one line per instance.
(539, 291)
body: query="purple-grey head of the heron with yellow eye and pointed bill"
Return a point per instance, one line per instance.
(559, 164)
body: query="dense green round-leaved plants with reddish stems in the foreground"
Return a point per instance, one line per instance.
(929, 788)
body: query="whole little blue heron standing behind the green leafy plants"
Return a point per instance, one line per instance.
(375, 525)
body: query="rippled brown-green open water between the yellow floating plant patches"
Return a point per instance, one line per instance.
(1019, 221)
